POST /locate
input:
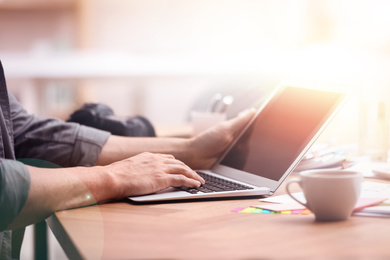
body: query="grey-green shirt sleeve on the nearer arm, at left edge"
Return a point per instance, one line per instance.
(14, 189)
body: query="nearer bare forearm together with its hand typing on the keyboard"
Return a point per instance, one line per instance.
(57, 189)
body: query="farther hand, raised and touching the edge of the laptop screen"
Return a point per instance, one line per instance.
(210, 144)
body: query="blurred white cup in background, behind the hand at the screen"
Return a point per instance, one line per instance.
(202, 120)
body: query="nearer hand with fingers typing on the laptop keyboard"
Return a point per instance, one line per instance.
(148, 173)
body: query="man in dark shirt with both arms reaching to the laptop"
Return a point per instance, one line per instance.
(97, 166)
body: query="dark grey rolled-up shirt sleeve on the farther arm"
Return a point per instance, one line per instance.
(62, 143)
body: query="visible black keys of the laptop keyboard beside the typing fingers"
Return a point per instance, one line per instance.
(215, 184)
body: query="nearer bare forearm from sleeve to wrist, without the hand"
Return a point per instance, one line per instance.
(57, 189)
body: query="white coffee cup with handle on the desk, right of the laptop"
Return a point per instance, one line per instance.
(330, 194)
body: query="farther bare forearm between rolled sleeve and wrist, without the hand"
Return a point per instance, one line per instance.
(119, 148)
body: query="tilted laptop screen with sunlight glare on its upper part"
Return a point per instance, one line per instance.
(281, 131)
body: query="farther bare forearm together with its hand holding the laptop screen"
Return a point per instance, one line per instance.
(199, 152)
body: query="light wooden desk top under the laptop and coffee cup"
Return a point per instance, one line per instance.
(208, 230)
